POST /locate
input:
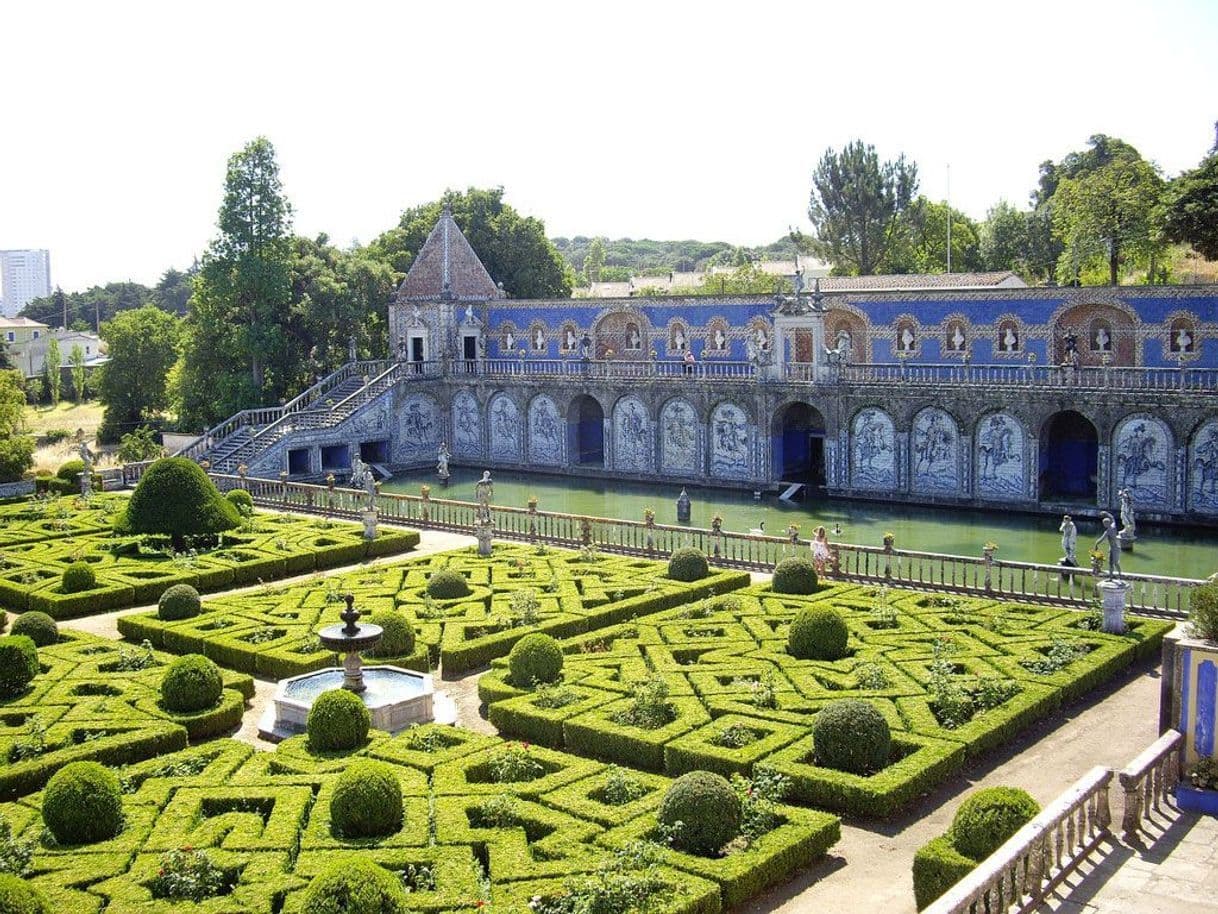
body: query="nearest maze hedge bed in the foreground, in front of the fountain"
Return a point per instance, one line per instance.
(261, 827)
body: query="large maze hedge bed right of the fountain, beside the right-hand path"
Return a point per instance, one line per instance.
(952, 678)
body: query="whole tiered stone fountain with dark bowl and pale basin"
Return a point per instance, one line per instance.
(395, 698)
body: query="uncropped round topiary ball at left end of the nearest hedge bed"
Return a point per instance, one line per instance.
(83, 804)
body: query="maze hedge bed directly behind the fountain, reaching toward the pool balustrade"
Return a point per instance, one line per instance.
(272, 633)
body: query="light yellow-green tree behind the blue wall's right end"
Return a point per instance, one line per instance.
(1109, 215)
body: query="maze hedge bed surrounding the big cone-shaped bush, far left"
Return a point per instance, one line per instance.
(40, 539)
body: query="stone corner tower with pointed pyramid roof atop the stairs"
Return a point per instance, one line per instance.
(446, 278)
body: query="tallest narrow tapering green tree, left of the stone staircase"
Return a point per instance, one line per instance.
(242, 296)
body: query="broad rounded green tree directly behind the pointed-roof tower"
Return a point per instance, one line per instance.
(513, 248)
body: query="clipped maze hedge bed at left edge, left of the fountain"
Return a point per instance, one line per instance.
(98, 700)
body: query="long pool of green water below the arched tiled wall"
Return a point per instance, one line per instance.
(1026, 538)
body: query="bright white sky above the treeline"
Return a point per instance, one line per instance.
(645, 120)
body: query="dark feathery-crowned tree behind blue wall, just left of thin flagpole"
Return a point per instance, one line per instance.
(857, 207)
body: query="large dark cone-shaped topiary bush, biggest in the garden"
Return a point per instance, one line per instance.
(176, 499)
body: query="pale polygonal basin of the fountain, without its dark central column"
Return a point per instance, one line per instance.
(395, 698)
